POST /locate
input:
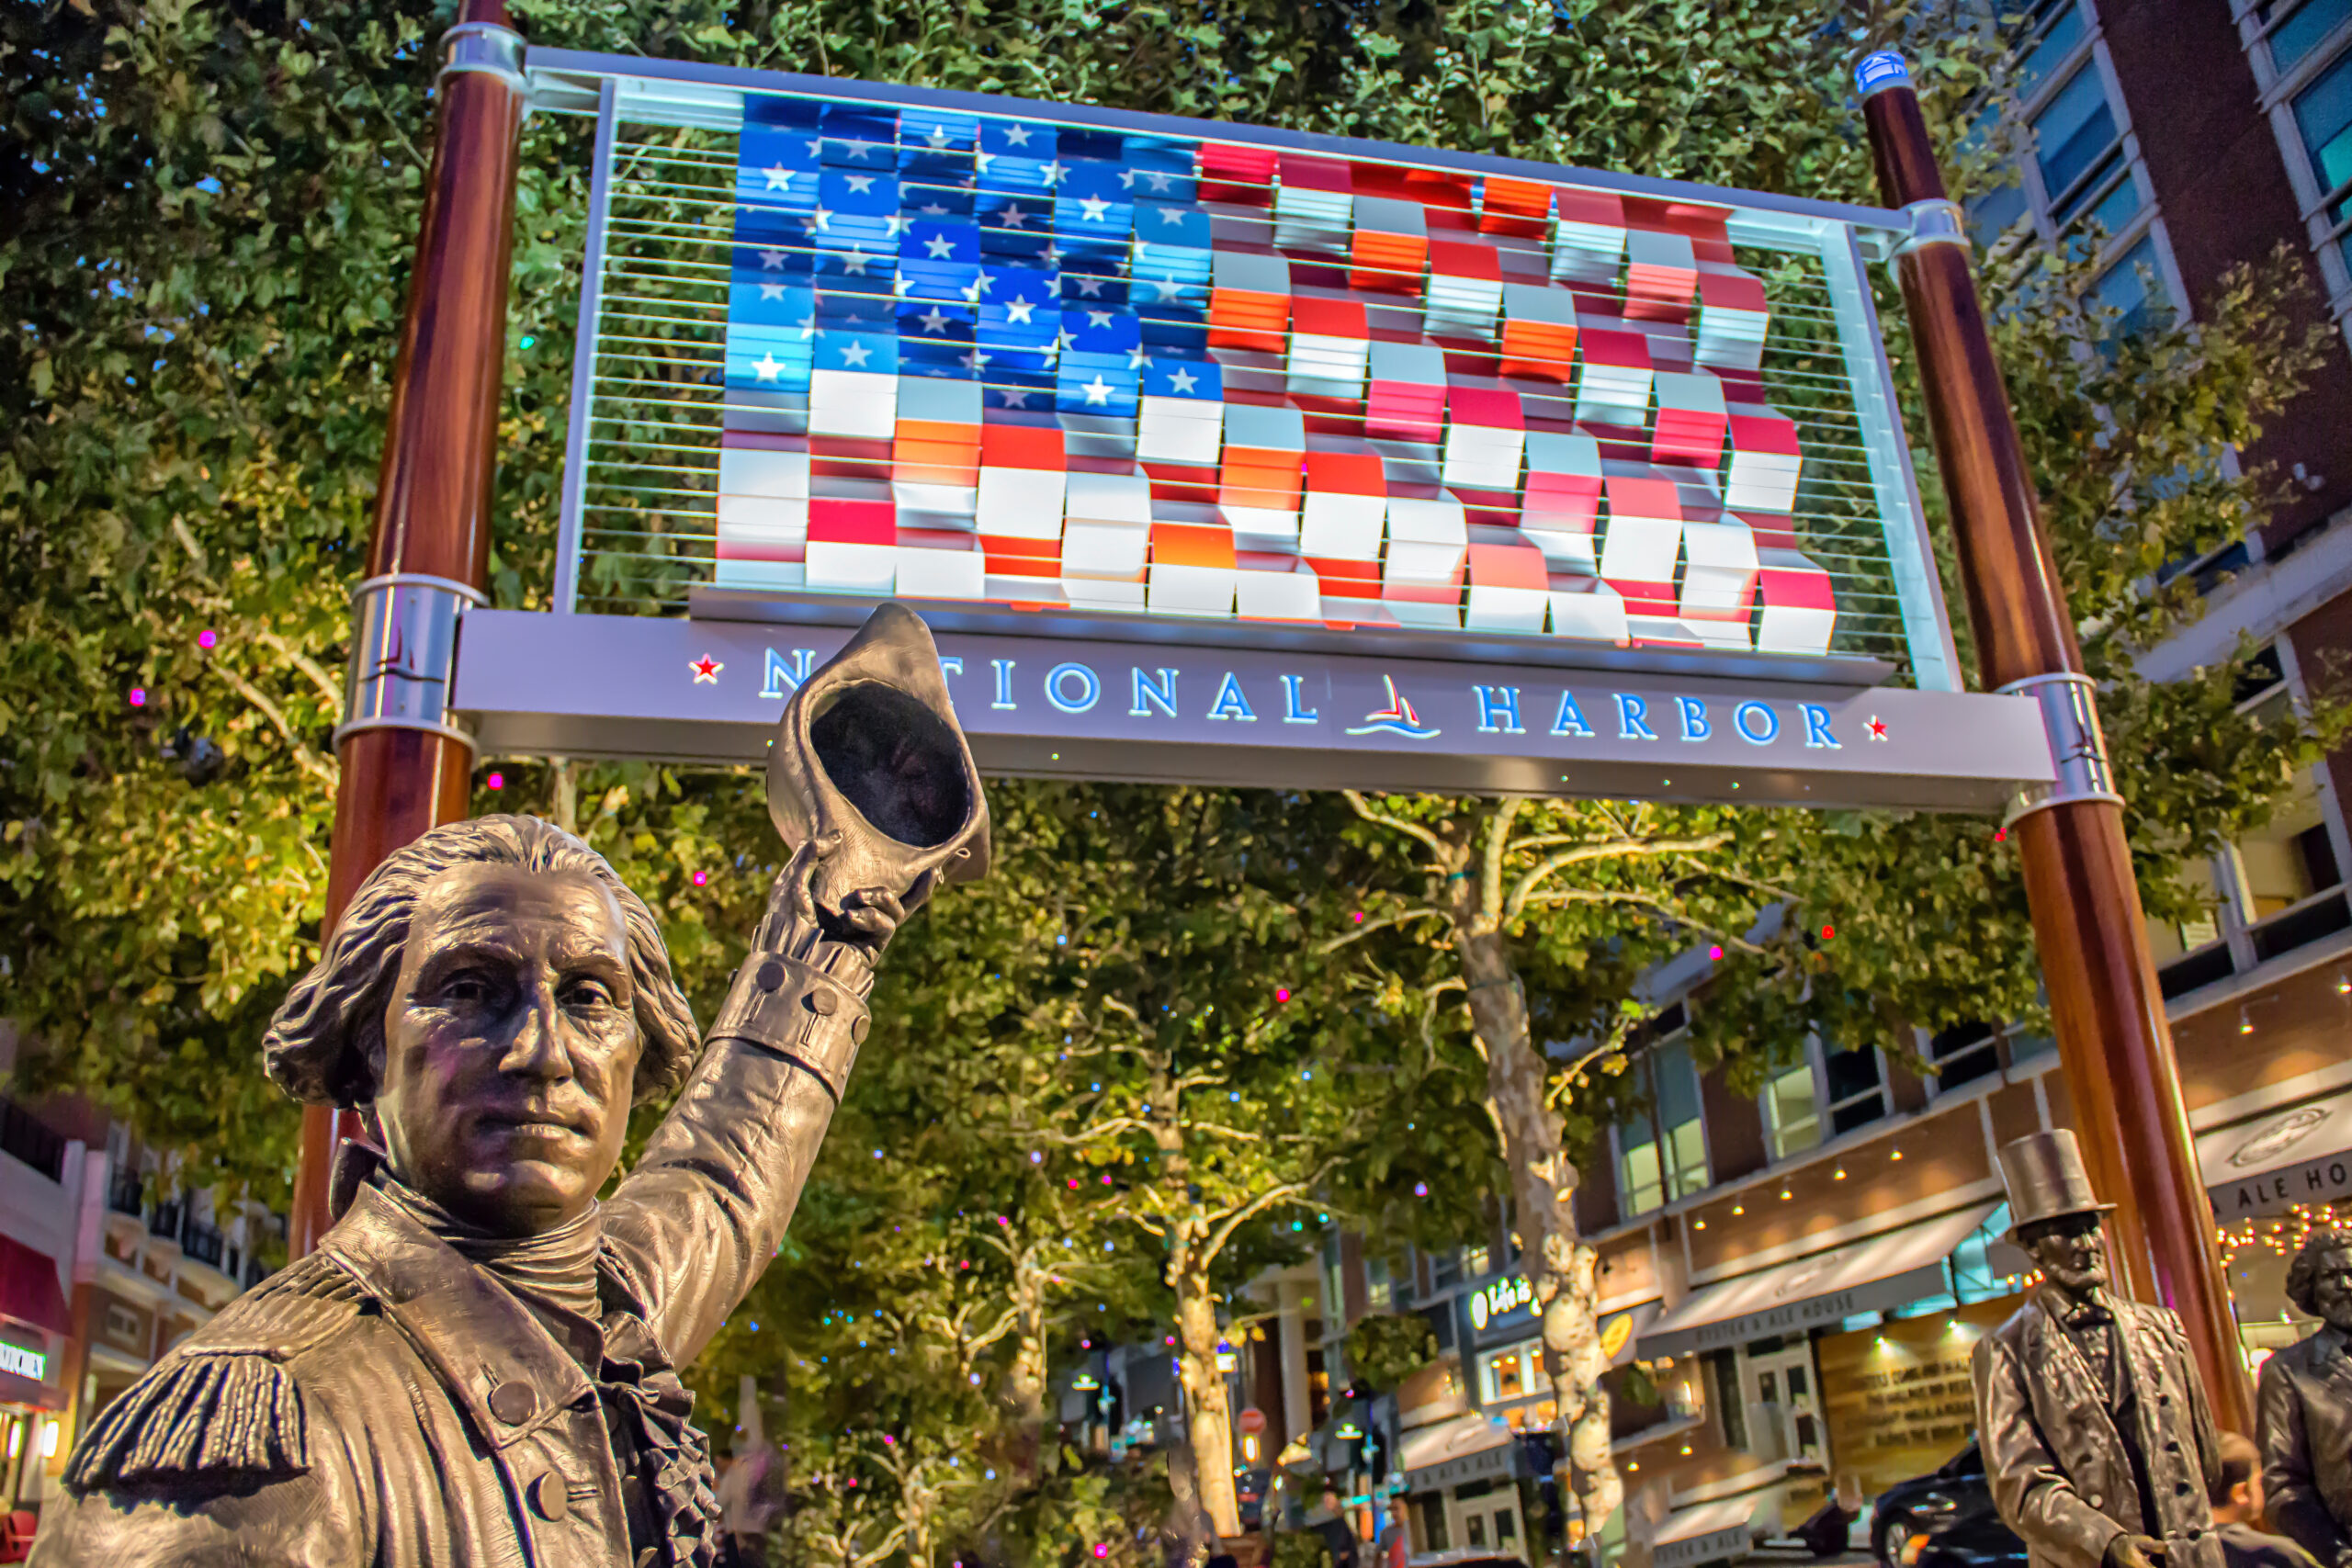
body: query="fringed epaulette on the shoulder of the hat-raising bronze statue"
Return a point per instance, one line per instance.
(222, 1407)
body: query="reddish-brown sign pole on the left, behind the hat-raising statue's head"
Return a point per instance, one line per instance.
(403, 763)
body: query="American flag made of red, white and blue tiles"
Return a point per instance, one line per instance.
(1064, 368)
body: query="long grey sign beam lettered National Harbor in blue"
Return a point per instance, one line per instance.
(711, 692)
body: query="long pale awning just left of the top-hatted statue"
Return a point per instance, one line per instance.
(1869, 1275)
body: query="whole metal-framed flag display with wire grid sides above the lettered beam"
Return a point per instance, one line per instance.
(1074, 373)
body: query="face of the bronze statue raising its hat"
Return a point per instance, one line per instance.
(509, 1047)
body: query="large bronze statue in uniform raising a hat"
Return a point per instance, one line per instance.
(479, 1362)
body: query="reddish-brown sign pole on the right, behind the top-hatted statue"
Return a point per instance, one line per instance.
(2113, 1043)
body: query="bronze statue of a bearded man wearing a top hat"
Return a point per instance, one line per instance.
(2097, 1433)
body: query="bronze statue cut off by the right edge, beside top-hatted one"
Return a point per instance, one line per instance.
(2306, 1407)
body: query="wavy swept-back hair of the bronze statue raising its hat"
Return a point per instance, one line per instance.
(326, 1045)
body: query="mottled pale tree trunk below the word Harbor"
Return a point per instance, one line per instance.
(1561, 1268)
